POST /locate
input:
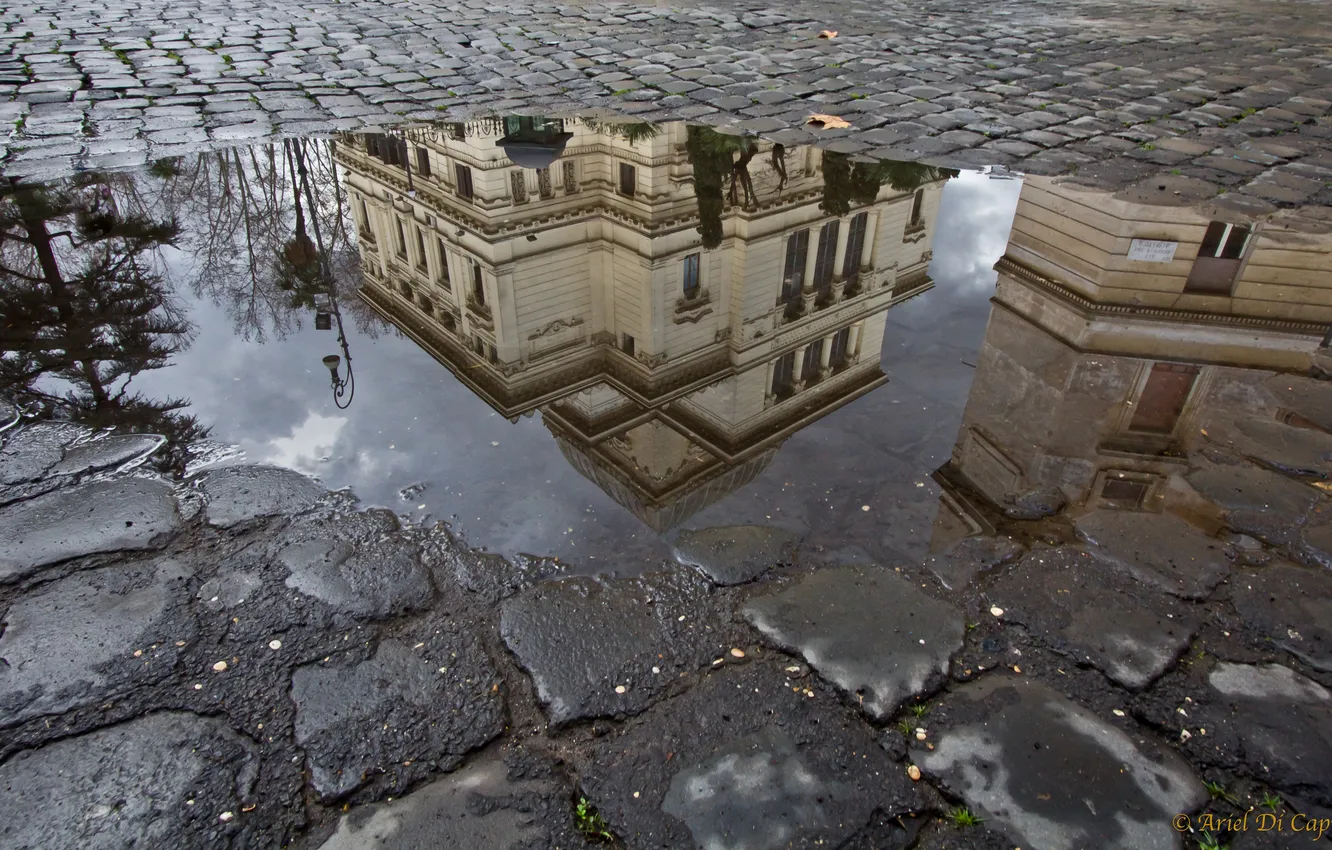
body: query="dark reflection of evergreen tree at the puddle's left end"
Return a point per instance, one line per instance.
(85, 310)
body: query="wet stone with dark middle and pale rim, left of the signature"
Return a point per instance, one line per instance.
(1056, 776)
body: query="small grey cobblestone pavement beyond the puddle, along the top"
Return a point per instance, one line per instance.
(1092, 79)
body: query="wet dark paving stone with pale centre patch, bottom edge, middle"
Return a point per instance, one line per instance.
(745, 761)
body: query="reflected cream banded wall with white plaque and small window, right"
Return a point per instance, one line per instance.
(1160, 271)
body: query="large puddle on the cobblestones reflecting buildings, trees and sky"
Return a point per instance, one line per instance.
(579, 338)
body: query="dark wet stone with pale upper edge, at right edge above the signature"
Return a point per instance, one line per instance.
(1275, 721)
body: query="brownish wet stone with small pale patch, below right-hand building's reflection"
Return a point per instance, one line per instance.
(1096, 612)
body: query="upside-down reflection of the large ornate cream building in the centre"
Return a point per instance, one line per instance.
(597, 274)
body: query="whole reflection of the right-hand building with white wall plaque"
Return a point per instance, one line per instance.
(1126, 332)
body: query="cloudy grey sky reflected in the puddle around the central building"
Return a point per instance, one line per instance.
(419, 442)
